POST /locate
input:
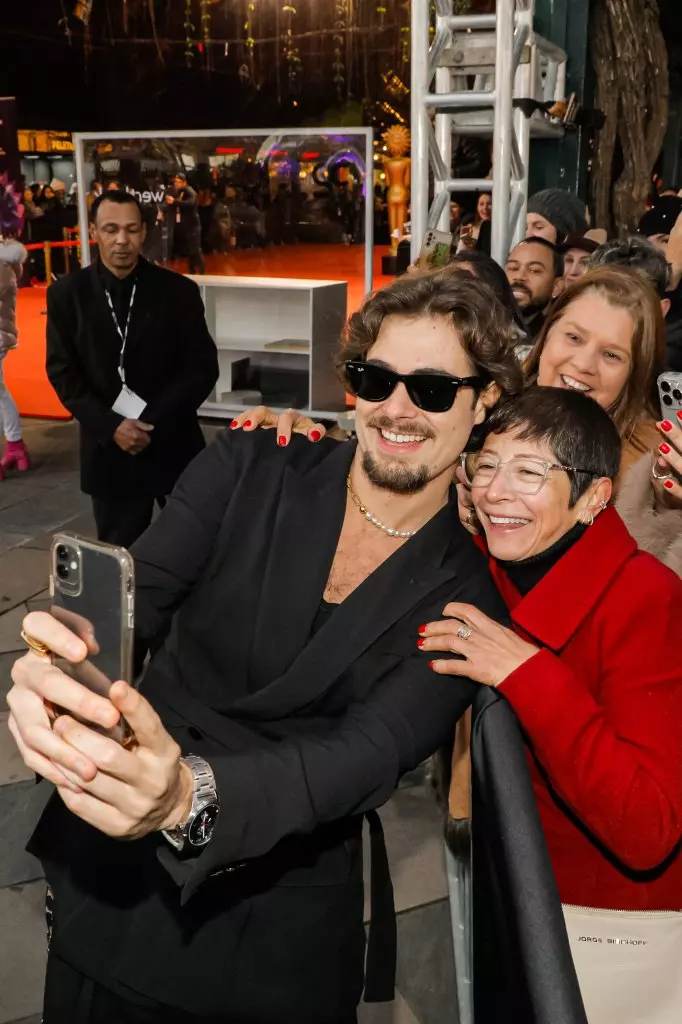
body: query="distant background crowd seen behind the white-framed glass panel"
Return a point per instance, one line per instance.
(211, 211)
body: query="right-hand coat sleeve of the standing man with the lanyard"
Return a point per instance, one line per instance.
(197, 372)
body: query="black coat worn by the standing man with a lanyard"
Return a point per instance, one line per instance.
(172, 362)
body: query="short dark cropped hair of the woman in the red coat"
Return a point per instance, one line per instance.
(578, 431)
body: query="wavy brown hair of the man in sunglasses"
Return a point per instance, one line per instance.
(488, 332)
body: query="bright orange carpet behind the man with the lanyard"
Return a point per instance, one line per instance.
(25, 368)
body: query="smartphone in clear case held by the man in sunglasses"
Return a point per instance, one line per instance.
(93, 593)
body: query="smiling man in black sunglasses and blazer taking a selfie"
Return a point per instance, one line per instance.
(283, 592)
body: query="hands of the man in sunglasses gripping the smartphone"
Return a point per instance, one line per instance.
(123, 793)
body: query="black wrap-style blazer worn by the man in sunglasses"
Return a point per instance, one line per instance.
(305, 734)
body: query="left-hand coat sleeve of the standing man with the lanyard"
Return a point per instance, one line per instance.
(68, 377)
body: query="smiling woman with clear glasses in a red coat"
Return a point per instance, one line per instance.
(593, 666)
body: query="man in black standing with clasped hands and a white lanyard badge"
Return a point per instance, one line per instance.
(131, 357)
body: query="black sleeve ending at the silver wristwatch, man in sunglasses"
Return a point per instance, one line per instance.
(283, 788)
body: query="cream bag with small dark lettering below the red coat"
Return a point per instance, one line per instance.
(629, 964)
